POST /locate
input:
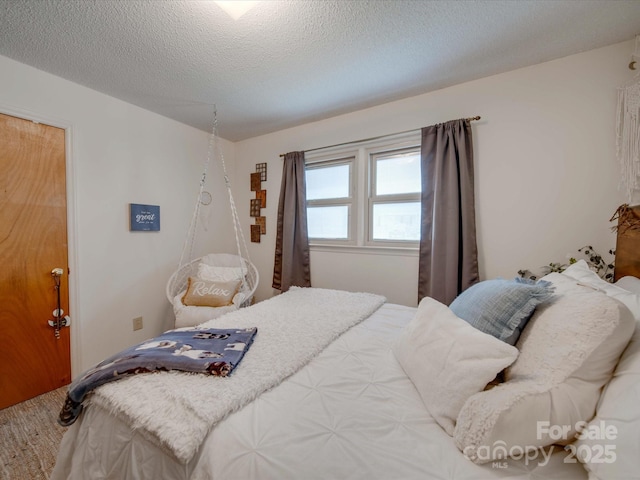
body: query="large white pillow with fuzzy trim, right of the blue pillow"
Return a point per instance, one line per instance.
(568, 351)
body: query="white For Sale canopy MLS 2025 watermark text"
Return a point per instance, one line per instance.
(599, 449)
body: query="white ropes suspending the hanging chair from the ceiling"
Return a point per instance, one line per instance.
(214, 150)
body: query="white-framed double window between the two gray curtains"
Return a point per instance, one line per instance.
(366, 195)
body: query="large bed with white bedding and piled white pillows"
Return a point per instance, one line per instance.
(394, 392)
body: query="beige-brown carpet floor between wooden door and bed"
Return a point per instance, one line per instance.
(30, 437)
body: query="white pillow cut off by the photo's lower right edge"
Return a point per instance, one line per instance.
(610, 447)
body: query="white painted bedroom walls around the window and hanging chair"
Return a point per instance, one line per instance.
(545, 172)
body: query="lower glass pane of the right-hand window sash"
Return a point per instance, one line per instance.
(396, 221)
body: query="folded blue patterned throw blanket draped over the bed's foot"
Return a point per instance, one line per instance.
(210, 351)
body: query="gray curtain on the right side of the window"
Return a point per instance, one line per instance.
(448, 261)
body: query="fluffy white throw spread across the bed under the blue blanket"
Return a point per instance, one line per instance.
(177, 410)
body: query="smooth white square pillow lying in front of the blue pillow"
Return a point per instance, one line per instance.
(448, 360)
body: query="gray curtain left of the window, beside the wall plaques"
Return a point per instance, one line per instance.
(291, 265)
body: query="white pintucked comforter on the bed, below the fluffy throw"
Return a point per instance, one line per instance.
(351, 413)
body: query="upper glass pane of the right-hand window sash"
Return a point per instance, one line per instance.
(398, 174)
